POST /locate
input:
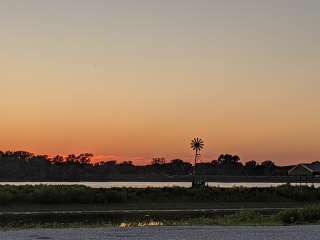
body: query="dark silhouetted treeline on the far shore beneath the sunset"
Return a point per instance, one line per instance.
(26, 166)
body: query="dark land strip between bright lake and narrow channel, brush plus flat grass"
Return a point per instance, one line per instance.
(81, 198)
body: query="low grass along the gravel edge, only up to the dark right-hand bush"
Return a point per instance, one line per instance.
(238, 219)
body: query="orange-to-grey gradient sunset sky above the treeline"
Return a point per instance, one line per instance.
(130, 80)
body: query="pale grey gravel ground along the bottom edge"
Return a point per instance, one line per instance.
(169, 233)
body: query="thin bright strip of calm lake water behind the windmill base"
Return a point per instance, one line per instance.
(151, 184)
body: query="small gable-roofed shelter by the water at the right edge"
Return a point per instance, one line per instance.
(305, 171)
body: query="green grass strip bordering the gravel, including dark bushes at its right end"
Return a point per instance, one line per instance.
(307, 215)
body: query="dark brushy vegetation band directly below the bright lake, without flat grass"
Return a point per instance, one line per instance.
(77, 194)
